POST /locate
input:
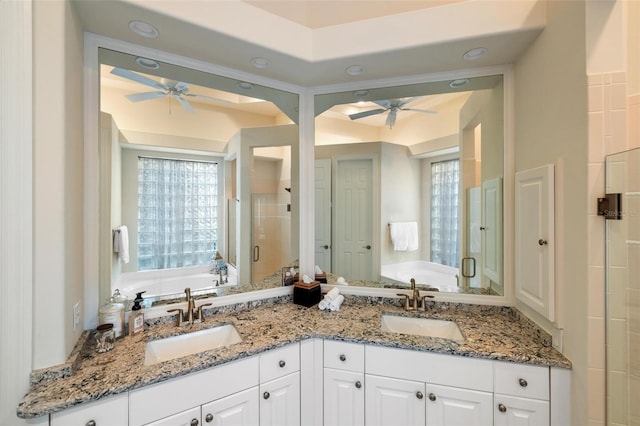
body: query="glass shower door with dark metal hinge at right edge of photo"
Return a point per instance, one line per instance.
(622, 206)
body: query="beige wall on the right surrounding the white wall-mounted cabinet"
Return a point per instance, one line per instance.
(551, 127)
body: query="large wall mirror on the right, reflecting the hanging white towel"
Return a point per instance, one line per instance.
(409, 185)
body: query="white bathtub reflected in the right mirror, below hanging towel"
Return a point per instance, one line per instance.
(433, 274)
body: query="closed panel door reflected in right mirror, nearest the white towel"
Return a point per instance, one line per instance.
(353, 224)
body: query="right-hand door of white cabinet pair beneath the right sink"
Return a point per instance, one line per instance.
(454, 406)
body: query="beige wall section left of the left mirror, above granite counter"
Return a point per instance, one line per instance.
(58, 177)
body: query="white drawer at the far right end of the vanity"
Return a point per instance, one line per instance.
(528, 381)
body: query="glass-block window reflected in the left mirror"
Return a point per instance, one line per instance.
(177, 213)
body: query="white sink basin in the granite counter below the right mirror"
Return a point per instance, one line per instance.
(421, 327)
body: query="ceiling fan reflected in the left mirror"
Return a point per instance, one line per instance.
(165, 87)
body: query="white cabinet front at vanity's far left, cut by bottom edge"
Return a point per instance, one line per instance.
(112, 411)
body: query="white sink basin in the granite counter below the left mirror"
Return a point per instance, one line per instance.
(190, 343)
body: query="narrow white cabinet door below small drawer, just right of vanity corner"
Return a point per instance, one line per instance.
(343, 398)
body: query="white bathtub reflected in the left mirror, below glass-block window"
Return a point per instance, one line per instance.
(162, 284)
